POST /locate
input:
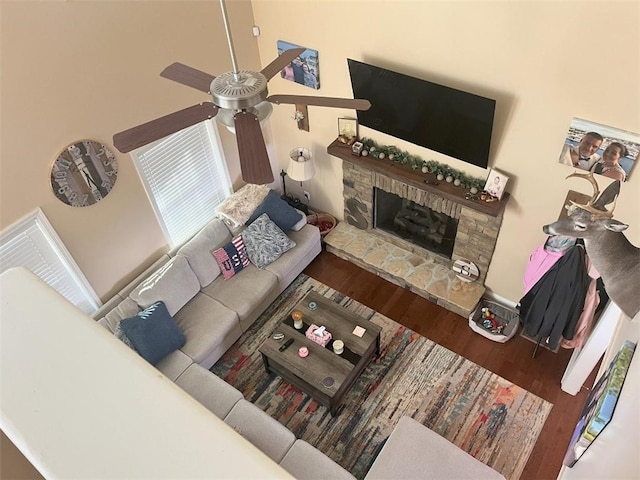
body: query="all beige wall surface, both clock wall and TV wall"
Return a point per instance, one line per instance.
(76, 70)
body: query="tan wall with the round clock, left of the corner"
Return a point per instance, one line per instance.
(74, 70)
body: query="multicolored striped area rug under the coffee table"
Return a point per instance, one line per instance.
(492, 419)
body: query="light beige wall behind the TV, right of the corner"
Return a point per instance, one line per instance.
(544, 62)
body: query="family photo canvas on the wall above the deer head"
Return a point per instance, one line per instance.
(604, 150)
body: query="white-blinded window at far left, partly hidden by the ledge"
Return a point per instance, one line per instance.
(34, 244)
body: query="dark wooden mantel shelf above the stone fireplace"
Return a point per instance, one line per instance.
(418, 179)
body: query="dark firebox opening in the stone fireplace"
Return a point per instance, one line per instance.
(415, 223)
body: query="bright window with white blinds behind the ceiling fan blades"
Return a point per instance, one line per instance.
(186, 178)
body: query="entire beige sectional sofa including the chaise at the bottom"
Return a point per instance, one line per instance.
(213, 312)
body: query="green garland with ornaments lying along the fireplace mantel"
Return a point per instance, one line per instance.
(373, 150)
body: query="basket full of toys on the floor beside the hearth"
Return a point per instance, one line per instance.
(493, 321)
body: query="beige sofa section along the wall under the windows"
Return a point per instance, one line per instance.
(211, 311)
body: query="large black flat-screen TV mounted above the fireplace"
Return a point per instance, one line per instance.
(440, 118)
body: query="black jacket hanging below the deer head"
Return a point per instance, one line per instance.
(552, 307)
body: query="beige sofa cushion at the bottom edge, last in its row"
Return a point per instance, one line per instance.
(305, 462)
